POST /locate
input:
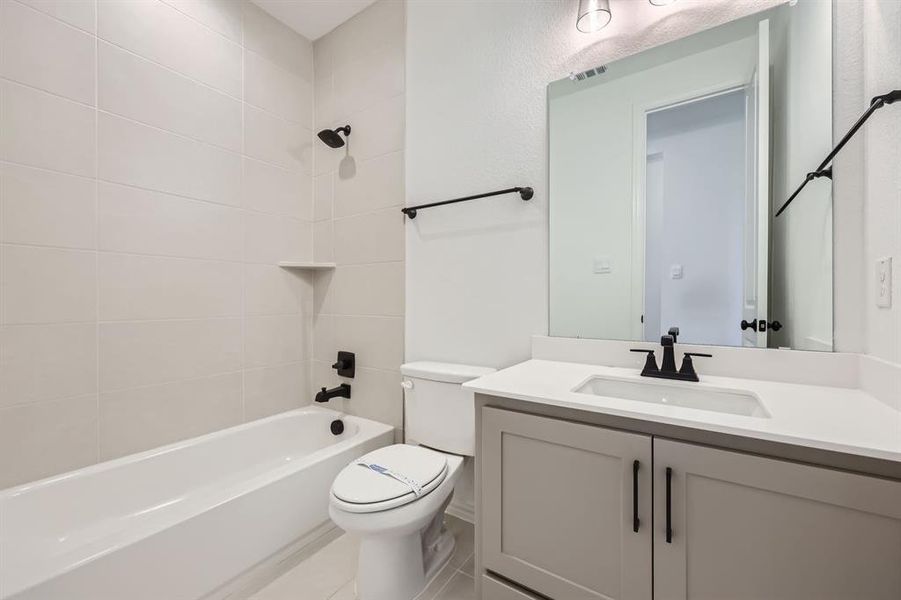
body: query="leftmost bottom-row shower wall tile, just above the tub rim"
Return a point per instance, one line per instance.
(59, 436)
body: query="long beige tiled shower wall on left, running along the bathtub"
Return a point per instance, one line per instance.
(155, 165)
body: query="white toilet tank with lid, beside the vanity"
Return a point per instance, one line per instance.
(439, 413)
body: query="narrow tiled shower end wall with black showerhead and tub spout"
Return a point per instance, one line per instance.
(357, 195)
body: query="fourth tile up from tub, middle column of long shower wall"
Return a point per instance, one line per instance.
(139, 221)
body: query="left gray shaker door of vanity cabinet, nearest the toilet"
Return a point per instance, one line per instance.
(557, 507)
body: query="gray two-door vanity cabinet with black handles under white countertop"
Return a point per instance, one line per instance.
(559, 501)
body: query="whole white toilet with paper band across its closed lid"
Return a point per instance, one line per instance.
(399, 514)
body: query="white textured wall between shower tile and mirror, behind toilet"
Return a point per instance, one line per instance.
(476, 121)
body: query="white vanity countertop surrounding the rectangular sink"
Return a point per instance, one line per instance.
(828, 418)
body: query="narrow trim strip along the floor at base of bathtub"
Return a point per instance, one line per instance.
(262, 574)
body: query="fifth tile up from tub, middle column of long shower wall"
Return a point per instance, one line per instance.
(146, 157)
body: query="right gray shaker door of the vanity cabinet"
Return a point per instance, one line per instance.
(751, 528)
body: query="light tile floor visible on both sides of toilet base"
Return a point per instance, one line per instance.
(328, 574)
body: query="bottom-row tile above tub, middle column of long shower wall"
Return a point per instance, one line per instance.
(143, 418)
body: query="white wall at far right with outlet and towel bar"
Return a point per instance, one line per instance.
(867, 182)
